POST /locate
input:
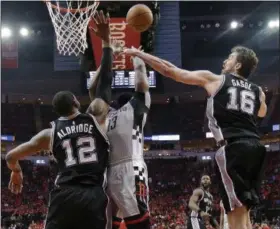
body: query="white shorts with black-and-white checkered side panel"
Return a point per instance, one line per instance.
(128, 188)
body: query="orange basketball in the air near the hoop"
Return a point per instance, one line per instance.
(139, 17)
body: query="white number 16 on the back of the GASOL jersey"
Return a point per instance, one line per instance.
(247, 100)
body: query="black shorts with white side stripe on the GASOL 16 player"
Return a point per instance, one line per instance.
(239, 169)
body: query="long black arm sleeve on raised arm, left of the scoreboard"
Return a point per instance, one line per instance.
(103, 89)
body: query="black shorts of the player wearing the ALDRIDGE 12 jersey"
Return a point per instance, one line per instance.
(72, 207)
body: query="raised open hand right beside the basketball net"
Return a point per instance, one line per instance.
(102, 26)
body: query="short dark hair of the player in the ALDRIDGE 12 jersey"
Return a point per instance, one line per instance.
(63, 103)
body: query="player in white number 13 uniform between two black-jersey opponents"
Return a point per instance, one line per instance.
(127, 173)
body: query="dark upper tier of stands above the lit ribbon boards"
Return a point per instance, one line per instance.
(186, 119)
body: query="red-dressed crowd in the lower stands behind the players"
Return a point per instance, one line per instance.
(171, 184)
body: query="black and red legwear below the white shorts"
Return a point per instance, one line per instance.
(141, 221)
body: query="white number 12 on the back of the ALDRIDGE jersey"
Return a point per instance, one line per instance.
(86, 151)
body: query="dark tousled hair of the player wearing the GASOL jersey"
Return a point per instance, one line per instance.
(248, 58)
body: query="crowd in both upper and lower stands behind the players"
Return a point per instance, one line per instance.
(171, 180)
